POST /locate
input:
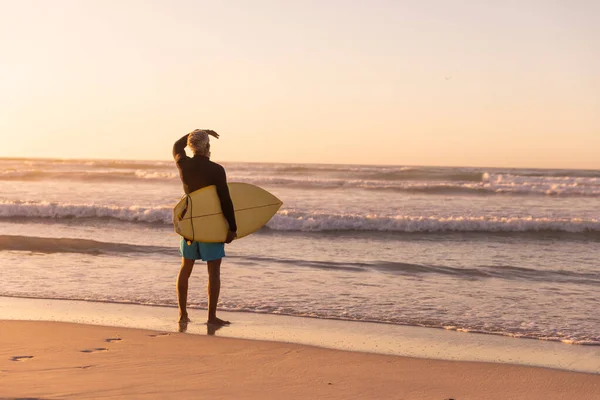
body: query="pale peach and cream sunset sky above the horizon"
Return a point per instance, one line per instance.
(430, 82)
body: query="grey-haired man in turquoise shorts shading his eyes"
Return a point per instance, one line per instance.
(195, 173)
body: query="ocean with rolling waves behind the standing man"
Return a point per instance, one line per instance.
(509, 252)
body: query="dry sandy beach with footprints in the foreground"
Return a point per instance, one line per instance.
(56, 360)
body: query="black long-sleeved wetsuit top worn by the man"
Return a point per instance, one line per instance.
(198, 172)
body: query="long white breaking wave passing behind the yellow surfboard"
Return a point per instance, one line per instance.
(287, 220)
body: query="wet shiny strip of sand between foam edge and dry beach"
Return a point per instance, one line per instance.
(363, 337)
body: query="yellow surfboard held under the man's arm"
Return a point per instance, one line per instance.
(198, 216)
